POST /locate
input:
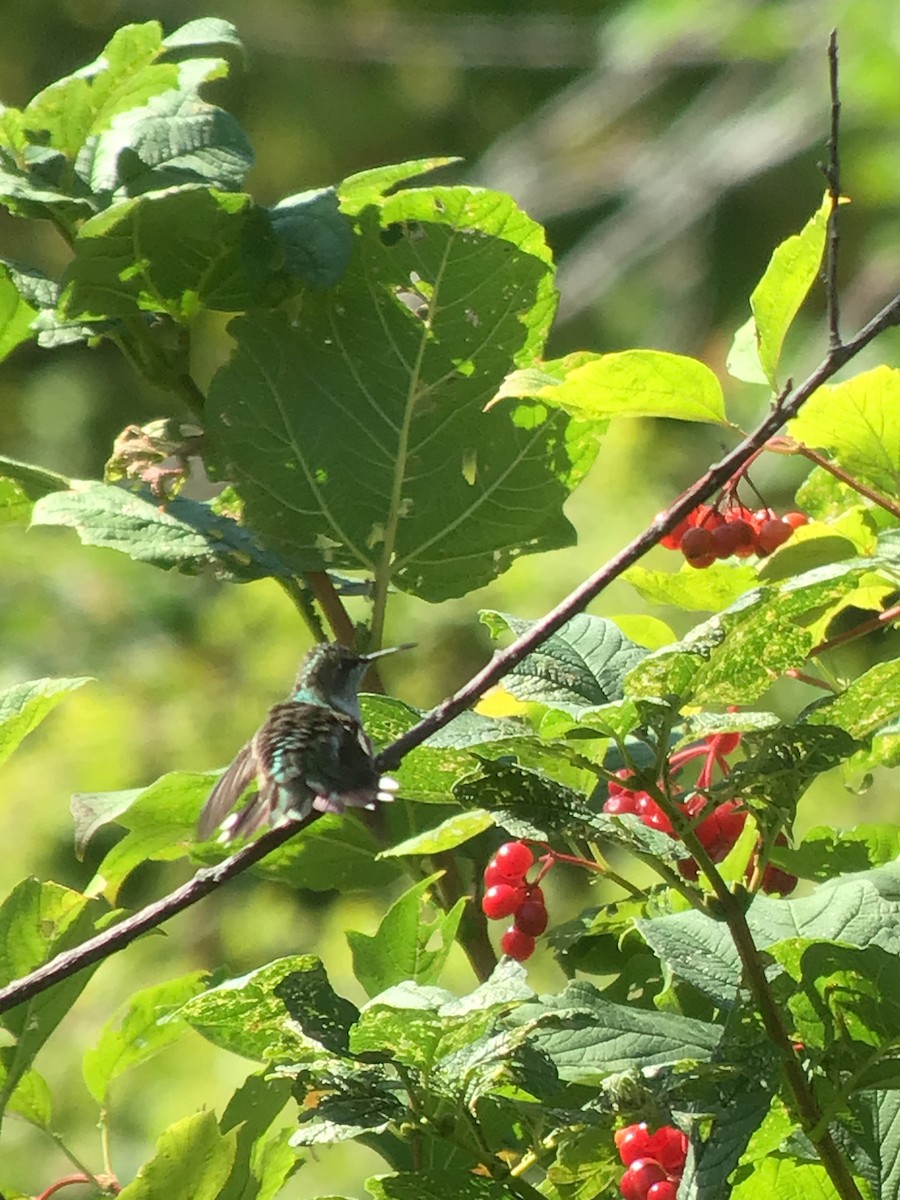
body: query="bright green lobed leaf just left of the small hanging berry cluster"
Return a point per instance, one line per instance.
(398, 951)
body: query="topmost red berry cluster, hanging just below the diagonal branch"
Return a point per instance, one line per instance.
(707, 535)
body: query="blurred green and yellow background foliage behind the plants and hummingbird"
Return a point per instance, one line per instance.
(668, 146)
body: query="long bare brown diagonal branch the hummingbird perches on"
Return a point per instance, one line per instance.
(212, 878)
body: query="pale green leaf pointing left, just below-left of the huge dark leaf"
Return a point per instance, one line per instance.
(183, 535)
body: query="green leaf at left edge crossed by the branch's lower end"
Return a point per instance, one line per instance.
(39, 921)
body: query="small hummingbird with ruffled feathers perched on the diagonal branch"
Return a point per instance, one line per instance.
(310, 754)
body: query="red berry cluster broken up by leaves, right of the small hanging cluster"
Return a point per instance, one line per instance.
(717, 830)
